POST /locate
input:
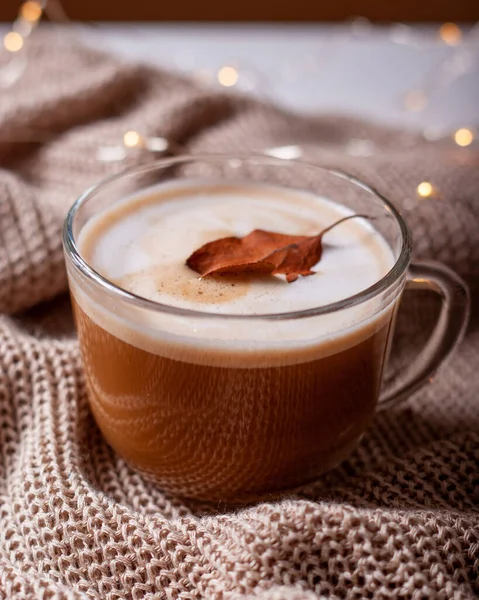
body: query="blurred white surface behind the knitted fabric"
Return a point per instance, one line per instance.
(312, 68)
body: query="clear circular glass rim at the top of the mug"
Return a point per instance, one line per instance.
(387, 281)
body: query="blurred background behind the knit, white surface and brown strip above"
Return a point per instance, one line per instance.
(410, 63)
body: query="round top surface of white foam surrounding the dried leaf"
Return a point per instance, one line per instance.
(142, 246)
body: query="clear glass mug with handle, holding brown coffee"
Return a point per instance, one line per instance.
(185, 412)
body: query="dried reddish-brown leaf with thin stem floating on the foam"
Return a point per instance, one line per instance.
(264, 252)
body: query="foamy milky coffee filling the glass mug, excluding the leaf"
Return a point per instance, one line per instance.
(230, 408)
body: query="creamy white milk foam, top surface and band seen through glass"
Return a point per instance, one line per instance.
(141, 243)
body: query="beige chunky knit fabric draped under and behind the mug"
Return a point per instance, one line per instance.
(398, 520)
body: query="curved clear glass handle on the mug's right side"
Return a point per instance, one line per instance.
(448, 332)
